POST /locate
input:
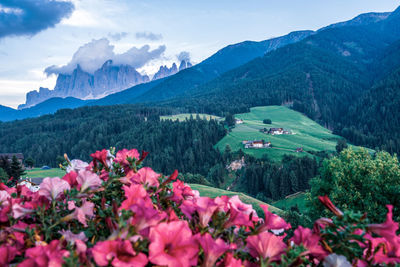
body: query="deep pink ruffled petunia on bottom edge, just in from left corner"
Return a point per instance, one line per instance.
(43, 256)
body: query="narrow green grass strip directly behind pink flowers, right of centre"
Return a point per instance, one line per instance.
(213, 192)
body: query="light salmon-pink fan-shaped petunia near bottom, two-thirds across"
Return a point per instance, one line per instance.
(266, 246)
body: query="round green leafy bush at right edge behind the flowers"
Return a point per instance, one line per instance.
(358, 181)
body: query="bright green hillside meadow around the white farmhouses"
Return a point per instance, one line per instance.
(305, 133)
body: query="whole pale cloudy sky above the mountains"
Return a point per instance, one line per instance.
(41, 38)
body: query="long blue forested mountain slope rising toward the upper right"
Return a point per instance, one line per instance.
(308, 70)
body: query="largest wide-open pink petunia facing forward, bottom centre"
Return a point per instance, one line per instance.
(172, 244)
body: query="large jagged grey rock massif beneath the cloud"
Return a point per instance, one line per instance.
(80, 84)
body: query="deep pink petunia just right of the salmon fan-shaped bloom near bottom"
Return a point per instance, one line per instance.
(310, 241)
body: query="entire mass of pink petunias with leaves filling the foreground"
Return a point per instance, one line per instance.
(115, 212)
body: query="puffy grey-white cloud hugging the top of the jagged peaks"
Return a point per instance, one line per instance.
(92, 56)
